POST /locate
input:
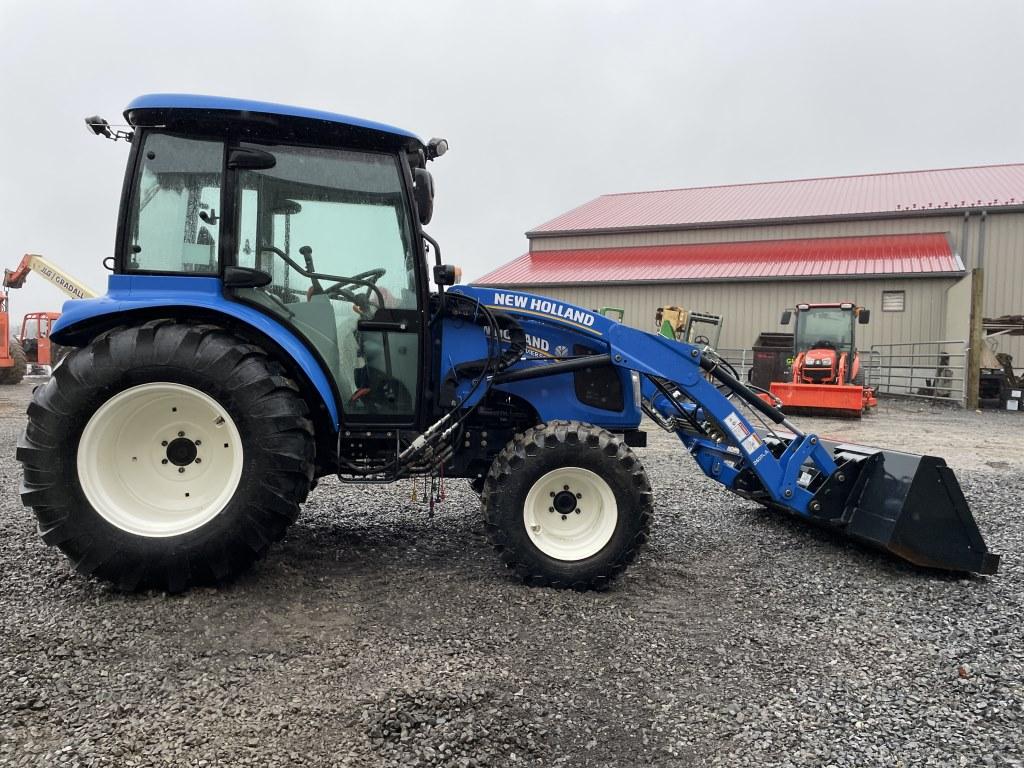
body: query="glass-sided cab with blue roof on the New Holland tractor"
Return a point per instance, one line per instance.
(311, 220)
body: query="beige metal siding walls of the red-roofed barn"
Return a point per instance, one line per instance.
(998, 245)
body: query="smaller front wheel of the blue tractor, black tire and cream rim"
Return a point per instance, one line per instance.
(568, 505)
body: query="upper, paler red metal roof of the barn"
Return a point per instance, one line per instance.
(913, 192)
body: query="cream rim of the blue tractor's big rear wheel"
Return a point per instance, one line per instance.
(134, 460)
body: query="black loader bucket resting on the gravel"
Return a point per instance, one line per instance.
(910, 505)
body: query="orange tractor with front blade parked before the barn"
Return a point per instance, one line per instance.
(826, 374)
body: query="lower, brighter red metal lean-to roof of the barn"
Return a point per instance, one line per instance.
(886, 255)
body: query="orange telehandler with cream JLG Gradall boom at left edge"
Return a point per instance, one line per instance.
(33, 347)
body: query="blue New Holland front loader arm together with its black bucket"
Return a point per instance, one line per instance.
(909, 505)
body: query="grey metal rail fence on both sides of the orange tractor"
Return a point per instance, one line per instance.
(930, 370)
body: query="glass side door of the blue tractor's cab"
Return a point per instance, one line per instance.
(332, 231)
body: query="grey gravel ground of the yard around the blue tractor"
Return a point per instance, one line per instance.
(376, 636)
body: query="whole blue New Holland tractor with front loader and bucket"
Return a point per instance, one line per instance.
(271, 320)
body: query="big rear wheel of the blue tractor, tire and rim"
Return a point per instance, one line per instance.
(166, 455)
